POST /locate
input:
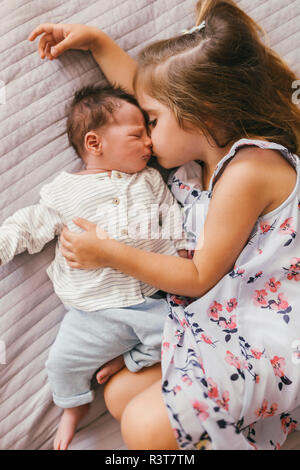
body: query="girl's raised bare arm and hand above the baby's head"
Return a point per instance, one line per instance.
(118, 67)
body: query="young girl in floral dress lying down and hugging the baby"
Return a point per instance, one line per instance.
(217, 95)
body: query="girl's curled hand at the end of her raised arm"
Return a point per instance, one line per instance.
(58, 38)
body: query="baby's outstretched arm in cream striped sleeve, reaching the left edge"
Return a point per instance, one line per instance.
(29, 229)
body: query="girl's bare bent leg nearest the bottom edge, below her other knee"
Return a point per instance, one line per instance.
(145, 424)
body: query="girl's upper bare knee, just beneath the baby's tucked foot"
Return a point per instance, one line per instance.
(125, 385)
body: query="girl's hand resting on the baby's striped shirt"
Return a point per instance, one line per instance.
(87, 250)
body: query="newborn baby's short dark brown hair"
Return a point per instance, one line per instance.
(92, 108)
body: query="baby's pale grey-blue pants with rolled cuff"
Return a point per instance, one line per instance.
(87, 340)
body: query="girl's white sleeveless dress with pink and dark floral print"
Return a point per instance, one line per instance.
(230, 359)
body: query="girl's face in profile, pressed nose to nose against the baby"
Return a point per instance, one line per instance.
(172, 145)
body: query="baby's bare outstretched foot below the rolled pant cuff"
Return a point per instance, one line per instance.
(68, 425)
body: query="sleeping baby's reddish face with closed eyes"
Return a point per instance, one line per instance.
(126, 145)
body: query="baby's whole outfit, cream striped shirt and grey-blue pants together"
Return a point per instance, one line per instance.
(108, 312)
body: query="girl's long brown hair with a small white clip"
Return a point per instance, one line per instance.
(223, 77)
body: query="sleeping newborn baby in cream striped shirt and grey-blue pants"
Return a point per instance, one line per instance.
(111, 318)
